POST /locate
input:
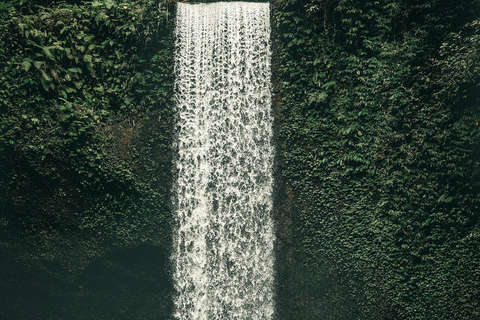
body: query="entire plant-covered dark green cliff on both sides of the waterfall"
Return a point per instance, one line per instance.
(378, 110)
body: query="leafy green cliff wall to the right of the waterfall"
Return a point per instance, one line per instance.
(377, 119)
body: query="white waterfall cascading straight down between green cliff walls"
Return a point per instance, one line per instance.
(223, 244)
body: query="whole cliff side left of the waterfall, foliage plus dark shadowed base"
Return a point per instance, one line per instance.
(85, 125)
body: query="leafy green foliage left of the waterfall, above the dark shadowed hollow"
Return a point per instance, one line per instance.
(80, 85)
